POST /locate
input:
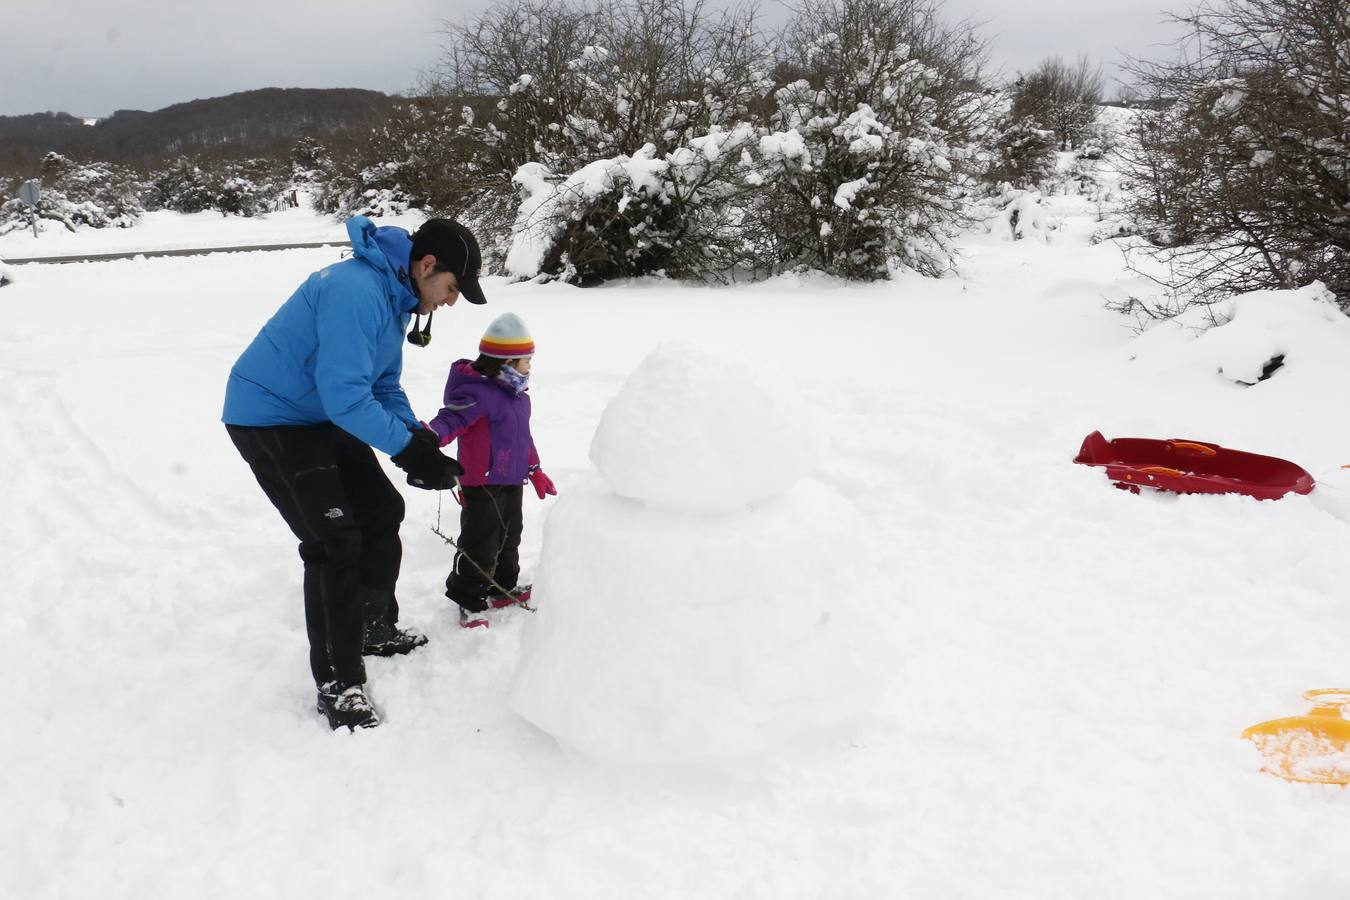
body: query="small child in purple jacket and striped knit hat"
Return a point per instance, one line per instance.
(488, 411)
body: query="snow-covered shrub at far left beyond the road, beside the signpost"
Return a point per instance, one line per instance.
(97, 195)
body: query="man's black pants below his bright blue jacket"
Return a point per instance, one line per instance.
(337, 500)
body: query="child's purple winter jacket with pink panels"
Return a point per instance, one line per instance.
(492, 424)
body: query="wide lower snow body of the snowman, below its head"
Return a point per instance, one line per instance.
(677, 638)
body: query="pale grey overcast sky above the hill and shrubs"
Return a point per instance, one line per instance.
(92, 57)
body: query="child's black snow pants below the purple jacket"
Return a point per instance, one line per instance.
(489, 544)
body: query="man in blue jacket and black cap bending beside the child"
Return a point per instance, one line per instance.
(306, 404)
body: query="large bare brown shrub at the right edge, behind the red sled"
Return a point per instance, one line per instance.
(1244, 183)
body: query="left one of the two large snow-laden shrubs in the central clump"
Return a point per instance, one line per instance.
(614, 119)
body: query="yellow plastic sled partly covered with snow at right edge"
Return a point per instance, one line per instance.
(1309, 748)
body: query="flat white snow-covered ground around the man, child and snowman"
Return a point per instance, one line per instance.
(1070, 665)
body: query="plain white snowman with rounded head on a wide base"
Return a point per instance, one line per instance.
(689, 596)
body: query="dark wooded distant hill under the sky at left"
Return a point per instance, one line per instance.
(253, 123)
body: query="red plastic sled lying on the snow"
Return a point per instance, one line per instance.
(1193, 468)
